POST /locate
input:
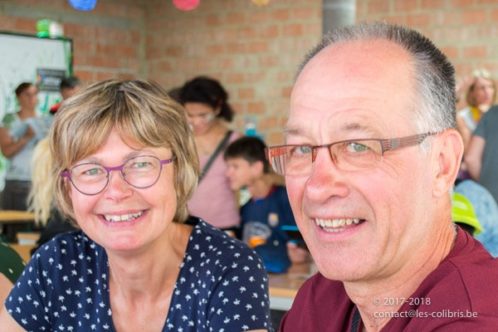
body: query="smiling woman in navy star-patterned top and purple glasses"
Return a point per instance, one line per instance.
(124, 168)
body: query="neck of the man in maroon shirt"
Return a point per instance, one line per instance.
(387, 295)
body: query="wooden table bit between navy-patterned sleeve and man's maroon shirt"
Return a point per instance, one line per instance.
(284, 287)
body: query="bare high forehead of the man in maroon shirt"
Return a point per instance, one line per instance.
(361, 87)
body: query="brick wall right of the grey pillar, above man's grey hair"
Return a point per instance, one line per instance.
(466, 30)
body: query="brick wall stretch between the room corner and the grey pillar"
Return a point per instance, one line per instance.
(254, 51)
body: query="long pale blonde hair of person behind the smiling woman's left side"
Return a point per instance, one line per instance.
(41, 194)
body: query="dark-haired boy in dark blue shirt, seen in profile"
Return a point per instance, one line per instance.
(267, 211)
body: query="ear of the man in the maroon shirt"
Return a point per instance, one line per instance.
(448, 151)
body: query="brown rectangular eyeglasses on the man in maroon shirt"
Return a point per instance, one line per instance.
(348, 155)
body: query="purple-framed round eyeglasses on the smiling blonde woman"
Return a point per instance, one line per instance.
(92, 178)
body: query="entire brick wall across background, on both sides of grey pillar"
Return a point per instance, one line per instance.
(253, 50)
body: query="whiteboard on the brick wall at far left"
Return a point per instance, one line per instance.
(23, 58)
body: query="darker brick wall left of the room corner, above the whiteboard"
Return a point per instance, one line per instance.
(108, 41)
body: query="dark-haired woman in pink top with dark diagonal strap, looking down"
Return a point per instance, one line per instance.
(208, 112)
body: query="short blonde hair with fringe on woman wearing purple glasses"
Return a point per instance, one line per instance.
(142, 112)
